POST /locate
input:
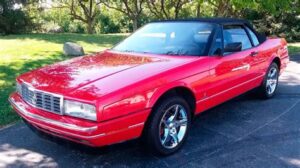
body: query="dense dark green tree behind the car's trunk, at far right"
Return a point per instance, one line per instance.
(279, 18)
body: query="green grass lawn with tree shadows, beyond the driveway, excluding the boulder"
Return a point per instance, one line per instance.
(21, 53)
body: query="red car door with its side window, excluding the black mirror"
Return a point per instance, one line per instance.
(230, 71)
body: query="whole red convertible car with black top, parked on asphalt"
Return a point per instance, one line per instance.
(151, 84)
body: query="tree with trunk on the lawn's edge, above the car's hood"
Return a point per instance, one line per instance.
(82, 10)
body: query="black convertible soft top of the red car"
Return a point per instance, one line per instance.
(222, 21)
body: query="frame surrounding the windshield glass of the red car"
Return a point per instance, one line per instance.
(215, 27)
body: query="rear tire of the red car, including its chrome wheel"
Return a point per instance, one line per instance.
(269, 86)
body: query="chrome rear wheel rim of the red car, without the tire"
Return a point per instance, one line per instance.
(272, 80)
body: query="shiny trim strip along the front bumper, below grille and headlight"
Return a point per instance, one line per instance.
(53, 122)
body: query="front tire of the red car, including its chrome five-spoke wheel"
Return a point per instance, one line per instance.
(165, 134)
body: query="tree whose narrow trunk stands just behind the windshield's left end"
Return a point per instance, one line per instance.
(131, 8)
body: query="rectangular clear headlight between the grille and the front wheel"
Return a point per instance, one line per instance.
(81, 110)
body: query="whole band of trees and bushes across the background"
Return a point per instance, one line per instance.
(273, 17)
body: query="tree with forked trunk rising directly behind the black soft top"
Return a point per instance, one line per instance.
(166, 9)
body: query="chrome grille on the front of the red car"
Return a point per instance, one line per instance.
(42, 100)
